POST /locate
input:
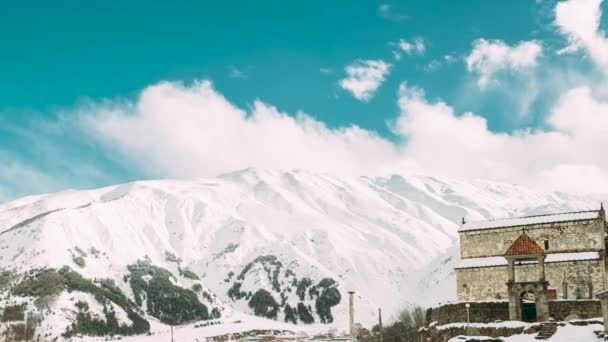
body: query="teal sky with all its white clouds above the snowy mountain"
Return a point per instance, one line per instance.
(98, 93)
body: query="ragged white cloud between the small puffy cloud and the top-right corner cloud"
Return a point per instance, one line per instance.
(489, 57)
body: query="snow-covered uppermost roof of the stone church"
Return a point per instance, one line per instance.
(526, 220)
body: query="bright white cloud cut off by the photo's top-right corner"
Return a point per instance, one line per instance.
(579, 21)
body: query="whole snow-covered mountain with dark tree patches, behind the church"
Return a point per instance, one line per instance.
(292, 243)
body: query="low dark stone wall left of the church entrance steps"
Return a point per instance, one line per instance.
(481, 312)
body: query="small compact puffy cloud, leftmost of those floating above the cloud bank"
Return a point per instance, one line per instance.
(364, 77)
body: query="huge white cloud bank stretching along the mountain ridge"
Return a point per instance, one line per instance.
(193, 131)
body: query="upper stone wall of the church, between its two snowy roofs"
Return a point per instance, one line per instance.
(562, 236)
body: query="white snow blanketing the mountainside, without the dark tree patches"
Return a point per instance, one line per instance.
(393, 239)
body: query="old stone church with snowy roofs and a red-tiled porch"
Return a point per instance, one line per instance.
(532, 261)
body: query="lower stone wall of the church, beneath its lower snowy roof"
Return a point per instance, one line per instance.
(570, 280)
